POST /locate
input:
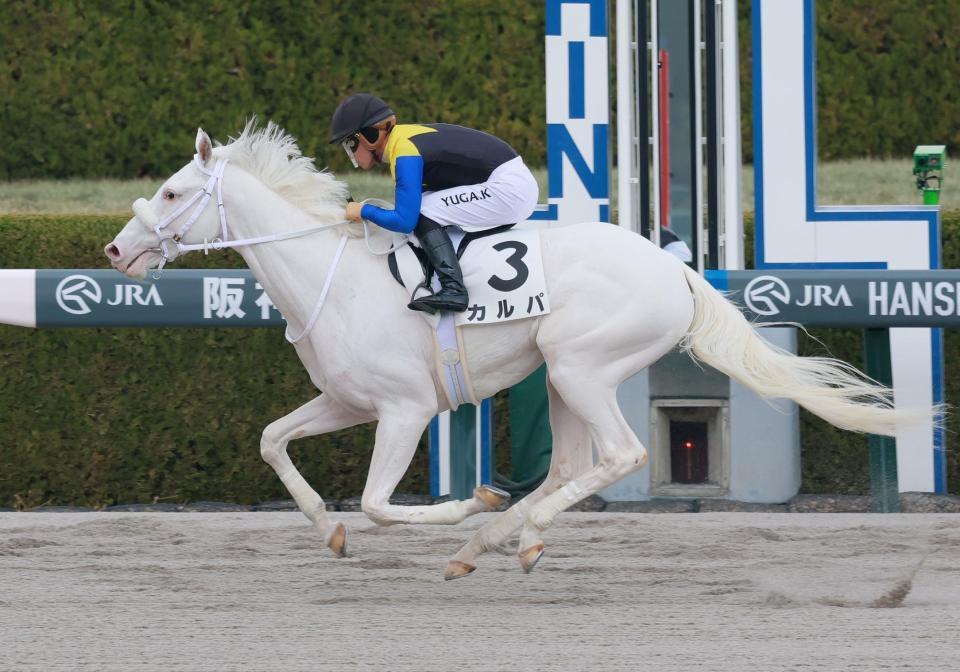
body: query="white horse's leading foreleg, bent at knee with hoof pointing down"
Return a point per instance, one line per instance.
(319, 416)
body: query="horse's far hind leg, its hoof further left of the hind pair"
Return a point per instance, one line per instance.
(570, 458)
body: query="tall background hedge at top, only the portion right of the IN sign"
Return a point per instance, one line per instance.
(886, 74)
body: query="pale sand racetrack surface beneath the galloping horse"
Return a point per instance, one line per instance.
(659, 593)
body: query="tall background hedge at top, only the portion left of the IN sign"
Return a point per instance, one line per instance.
(116, 89)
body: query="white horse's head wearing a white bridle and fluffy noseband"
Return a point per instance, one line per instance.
(179, 211)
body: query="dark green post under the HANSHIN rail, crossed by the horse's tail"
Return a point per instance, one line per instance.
(883, 449)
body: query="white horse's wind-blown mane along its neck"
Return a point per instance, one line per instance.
(272, 155)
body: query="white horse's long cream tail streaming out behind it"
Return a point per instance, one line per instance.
(723, 338)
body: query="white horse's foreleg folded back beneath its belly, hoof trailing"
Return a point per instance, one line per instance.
(398, 434)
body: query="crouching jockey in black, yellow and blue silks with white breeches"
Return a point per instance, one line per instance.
(444, 175)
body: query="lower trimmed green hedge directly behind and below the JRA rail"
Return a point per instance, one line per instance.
(104, 416)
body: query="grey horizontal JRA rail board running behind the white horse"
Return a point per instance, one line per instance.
(233, 298)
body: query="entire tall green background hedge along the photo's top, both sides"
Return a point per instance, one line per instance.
(115, 89)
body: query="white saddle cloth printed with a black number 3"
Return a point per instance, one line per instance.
(503, 274)
